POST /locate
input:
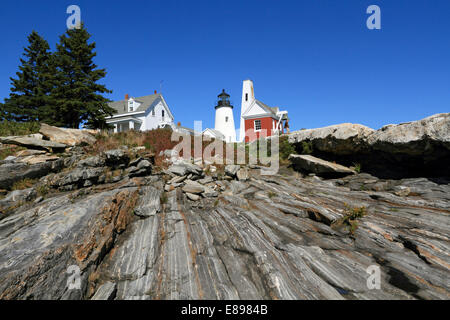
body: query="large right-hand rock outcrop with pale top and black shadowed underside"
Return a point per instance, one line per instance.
(413, 149)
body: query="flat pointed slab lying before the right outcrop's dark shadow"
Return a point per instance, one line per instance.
(318, 166)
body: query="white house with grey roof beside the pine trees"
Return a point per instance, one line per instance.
(142, 113)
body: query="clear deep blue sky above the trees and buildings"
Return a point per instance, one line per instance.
(314, 58)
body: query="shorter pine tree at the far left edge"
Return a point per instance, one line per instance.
(29, 98)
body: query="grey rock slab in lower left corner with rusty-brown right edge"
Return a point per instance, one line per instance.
(39, 245)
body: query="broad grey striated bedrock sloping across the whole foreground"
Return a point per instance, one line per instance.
(271, 237)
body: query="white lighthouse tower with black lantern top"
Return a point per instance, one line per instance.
(224, 117)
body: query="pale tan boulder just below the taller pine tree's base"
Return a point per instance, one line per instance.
(70, 137)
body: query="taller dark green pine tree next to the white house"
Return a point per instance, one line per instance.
(77, 94)
